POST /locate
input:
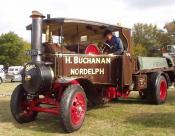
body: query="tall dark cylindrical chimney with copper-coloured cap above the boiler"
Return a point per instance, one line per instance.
(36, 35)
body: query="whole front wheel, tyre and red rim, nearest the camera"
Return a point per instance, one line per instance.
(73, 108)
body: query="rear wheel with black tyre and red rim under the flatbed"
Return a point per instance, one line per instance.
(158, 89)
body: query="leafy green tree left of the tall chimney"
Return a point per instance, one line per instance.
(12, 49)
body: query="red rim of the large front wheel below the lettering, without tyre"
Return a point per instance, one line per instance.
(78, 109)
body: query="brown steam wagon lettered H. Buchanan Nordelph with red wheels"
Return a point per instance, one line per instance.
(72, 67)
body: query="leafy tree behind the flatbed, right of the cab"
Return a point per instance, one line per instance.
(150, 38)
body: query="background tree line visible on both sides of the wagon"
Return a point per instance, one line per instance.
(147, 40)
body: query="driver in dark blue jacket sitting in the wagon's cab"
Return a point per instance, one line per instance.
(115, 43)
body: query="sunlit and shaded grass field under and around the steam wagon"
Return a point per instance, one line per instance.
(131, 117)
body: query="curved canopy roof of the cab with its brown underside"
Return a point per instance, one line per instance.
(77, 27)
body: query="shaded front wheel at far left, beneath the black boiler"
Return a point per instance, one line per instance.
(20, 107)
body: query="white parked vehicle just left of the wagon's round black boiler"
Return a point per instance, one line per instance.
(14, 73)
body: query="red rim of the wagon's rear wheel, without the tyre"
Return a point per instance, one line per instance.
(163, 90)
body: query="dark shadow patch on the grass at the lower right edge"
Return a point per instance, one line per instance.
(161, 120)
